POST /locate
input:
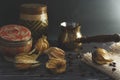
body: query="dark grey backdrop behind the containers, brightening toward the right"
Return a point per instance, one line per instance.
(95, 16)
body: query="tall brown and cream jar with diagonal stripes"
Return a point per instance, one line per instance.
(34, 16)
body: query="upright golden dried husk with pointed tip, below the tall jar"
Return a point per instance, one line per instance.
(42, 44)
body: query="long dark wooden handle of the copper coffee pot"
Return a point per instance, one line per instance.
(99, 38)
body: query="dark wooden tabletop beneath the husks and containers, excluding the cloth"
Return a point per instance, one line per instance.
(76, 70)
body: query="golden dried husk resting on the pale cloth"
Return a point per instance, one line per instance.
(101, 56)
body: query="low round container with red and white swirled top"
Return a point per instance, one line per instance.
(14, 39)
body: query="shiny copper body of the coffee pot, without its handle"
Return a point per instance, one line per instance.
(70, 31)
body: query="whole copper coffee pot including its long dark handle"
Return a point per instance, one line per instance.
(71, 37)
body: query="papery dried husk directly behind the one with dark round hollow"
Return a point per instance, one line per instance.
(54, 52)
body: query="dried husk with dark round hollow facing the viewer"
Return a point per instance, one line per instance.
(56, 65)
